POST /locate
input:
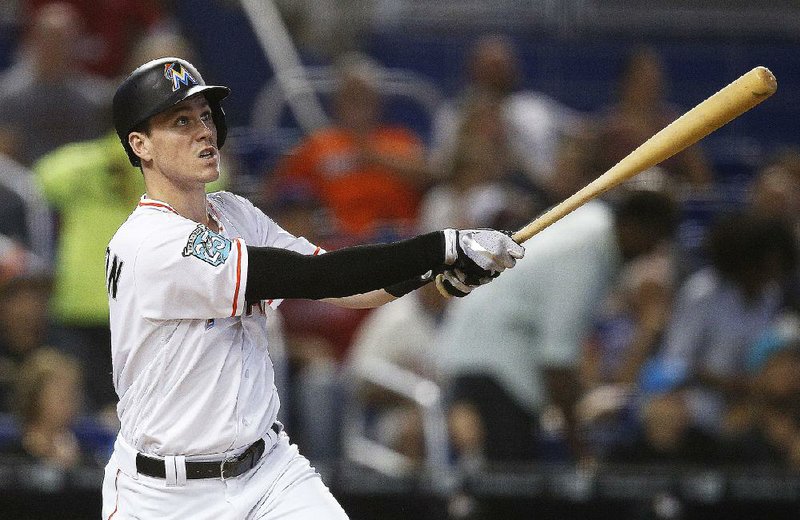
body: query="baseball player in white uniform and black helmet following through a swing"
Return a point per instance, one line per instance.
(189, 277)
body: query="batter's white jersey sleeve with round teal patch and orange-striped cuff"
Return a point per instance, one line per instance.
(190, 272)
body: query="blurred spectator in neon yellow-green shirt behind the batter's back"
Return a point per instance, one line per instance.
(92, 186)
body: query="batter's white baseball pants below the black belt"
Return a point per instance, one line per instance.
(282, 486)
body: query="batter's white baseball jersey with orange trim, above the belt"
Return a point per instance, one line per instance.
(191, 364)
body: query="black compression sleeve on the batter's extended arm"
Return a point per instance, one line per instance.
(274, 273)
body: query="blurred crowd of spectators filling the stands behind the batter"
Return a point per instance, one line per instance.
(611, 342)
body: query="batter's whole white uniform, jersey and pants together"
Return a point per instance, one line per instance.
(192, 369)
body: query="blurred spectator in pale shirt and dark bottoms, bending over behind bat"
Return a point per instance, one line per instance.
(533, 324)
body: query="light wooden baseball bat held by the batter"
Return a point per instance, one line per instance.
(732, 101)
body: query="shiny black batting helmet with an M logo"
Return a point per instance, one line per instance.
(156, 86)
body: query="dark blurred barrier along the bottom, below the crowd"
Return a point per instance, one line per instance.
(31, 491)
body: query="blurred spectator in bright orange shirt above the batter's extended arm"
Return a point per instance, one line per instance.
(369, 174)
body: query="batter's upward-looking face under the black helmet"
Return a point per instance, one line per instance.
(183, 142)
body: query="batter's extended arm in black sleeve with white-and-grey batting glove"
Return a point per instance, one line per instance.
(274, 273)
